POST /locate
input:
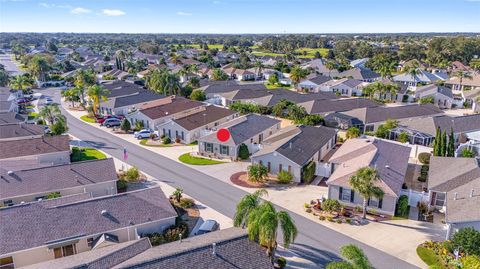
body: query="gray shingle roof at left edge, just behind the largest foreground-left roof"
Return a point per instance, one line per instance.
(53, 178)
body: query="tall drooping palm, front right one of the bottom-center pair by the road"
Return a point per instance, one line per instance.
(263, 224)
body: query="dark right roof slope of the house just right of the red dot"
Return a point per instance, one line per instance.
(305, 144)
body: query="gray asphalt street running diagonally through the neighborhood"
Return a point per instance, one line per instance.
(314, 242)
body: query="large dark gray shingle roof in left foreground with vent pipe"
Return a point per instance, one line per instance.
(34, 224)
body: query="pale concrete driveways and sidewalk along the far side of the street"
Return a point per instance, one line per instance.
(399, 238)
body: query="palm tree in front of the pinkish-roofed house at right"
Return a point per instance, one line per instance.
(364, 182)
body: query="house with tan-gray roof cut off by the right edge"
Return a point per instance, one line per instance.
(454, 189)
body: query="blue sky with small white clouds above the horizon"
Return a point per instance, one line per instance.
(240, 16)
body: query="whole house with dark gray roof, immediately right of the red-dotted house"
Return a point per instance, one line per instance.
(293, 148)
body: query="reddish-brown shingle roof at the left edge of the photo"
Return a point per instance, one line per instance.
(34, 146)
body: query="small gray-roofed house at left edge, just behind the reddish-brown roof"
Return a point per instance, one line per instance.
(16, 131)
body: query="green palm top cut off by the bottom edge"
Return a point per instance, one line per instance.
(354, 259)
